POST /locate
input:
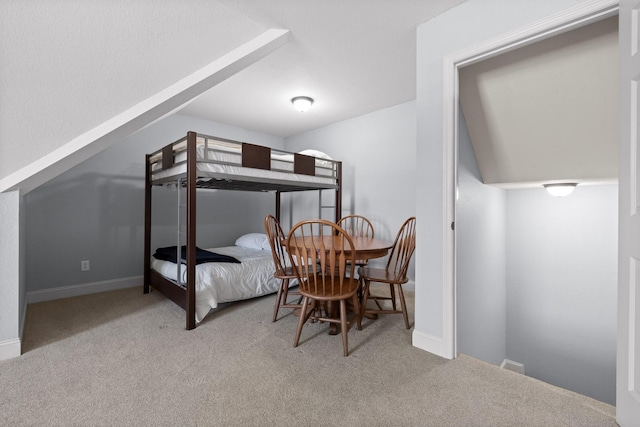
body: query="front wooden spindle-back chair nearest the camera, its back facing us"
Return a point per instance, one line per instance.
(324, 258)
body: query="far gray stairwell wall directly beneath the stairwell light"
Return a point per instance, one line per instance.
(562, 287)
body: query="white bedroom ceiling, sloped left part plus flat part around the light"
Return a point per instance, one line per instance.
(77, 65)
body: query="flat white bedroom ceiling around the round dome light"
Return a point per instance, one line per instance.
(352, 57)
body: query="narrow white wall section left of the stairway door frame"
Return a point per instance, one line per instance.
(466, 25)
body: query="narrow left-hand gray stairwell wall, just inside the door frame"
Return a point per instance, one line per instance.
(481, 233)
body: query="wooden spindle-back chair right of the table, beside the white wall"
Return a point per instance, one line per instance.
(394, 274)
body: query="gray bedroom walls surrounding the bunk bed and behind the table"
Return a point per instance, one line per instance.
(95, 211)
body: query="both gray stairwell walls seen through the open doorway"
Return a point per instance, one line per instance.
(537, 279)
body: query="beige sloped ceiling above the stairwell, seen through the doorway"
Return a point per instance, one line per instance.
(547, 112)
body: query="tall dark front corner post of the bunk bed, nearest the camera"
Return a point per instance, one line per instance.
(191, 230)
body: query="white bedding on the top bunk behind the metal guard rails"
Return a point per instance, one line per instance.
(220, 157)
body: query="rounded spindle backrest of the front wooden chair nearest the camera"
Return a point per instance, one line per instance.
(323, 256)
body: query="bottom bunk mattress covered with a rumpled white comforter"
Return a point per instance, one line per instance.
(220, 282)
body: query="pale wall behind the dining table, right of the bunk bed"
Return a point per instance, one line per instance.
(378, 152)
